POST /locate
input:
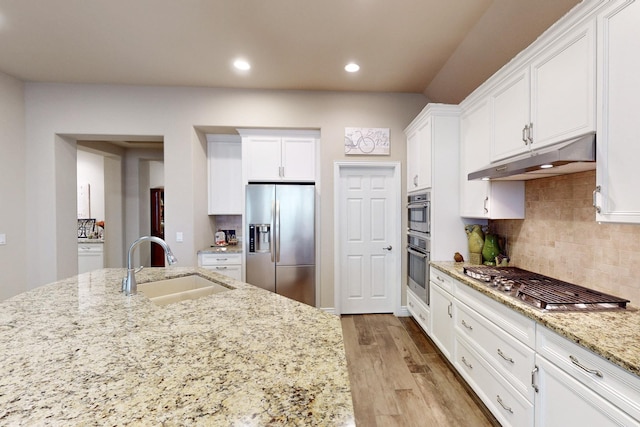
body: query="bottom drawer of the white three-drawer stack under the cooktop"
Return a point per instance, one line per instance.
(504, 402)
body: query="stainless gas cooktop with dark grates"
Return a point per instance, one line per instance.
(544, 292)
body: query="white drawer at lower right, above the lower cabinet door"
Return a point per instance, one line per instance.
(603, 377)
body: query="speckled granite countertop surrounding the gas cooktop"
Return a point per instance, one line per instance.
(611, 334)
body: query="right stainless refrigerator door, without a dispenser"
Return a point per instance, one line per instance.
(295, 242)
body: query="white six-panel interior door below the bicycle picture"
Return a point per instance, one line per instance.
(368, 226)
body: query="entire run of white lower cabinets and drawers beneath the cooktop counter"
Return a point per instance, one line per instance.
(524, 373)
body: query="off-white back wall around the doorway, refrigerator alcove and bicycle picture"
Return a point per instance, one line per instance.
(177, 114)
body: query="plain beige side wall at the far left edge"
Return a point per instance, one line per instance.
(13, 255)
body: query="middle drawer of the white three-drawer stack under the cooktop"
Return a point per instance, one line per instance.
(507, 355)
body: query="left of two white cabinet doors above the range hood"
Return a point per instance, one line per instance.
(510, 115)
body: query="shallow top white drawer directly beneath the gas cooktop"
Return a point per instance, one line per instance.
(517, 325)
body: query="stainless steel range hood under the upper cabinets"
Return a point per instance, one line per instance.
(575, 155)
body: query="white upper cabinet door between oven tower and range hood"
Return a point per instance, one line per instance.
(475, 143)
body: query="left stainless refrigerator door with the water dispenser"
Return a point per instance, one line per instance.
(259, 209)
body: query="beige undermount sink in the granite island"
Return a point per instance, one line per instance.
(163, 292)
